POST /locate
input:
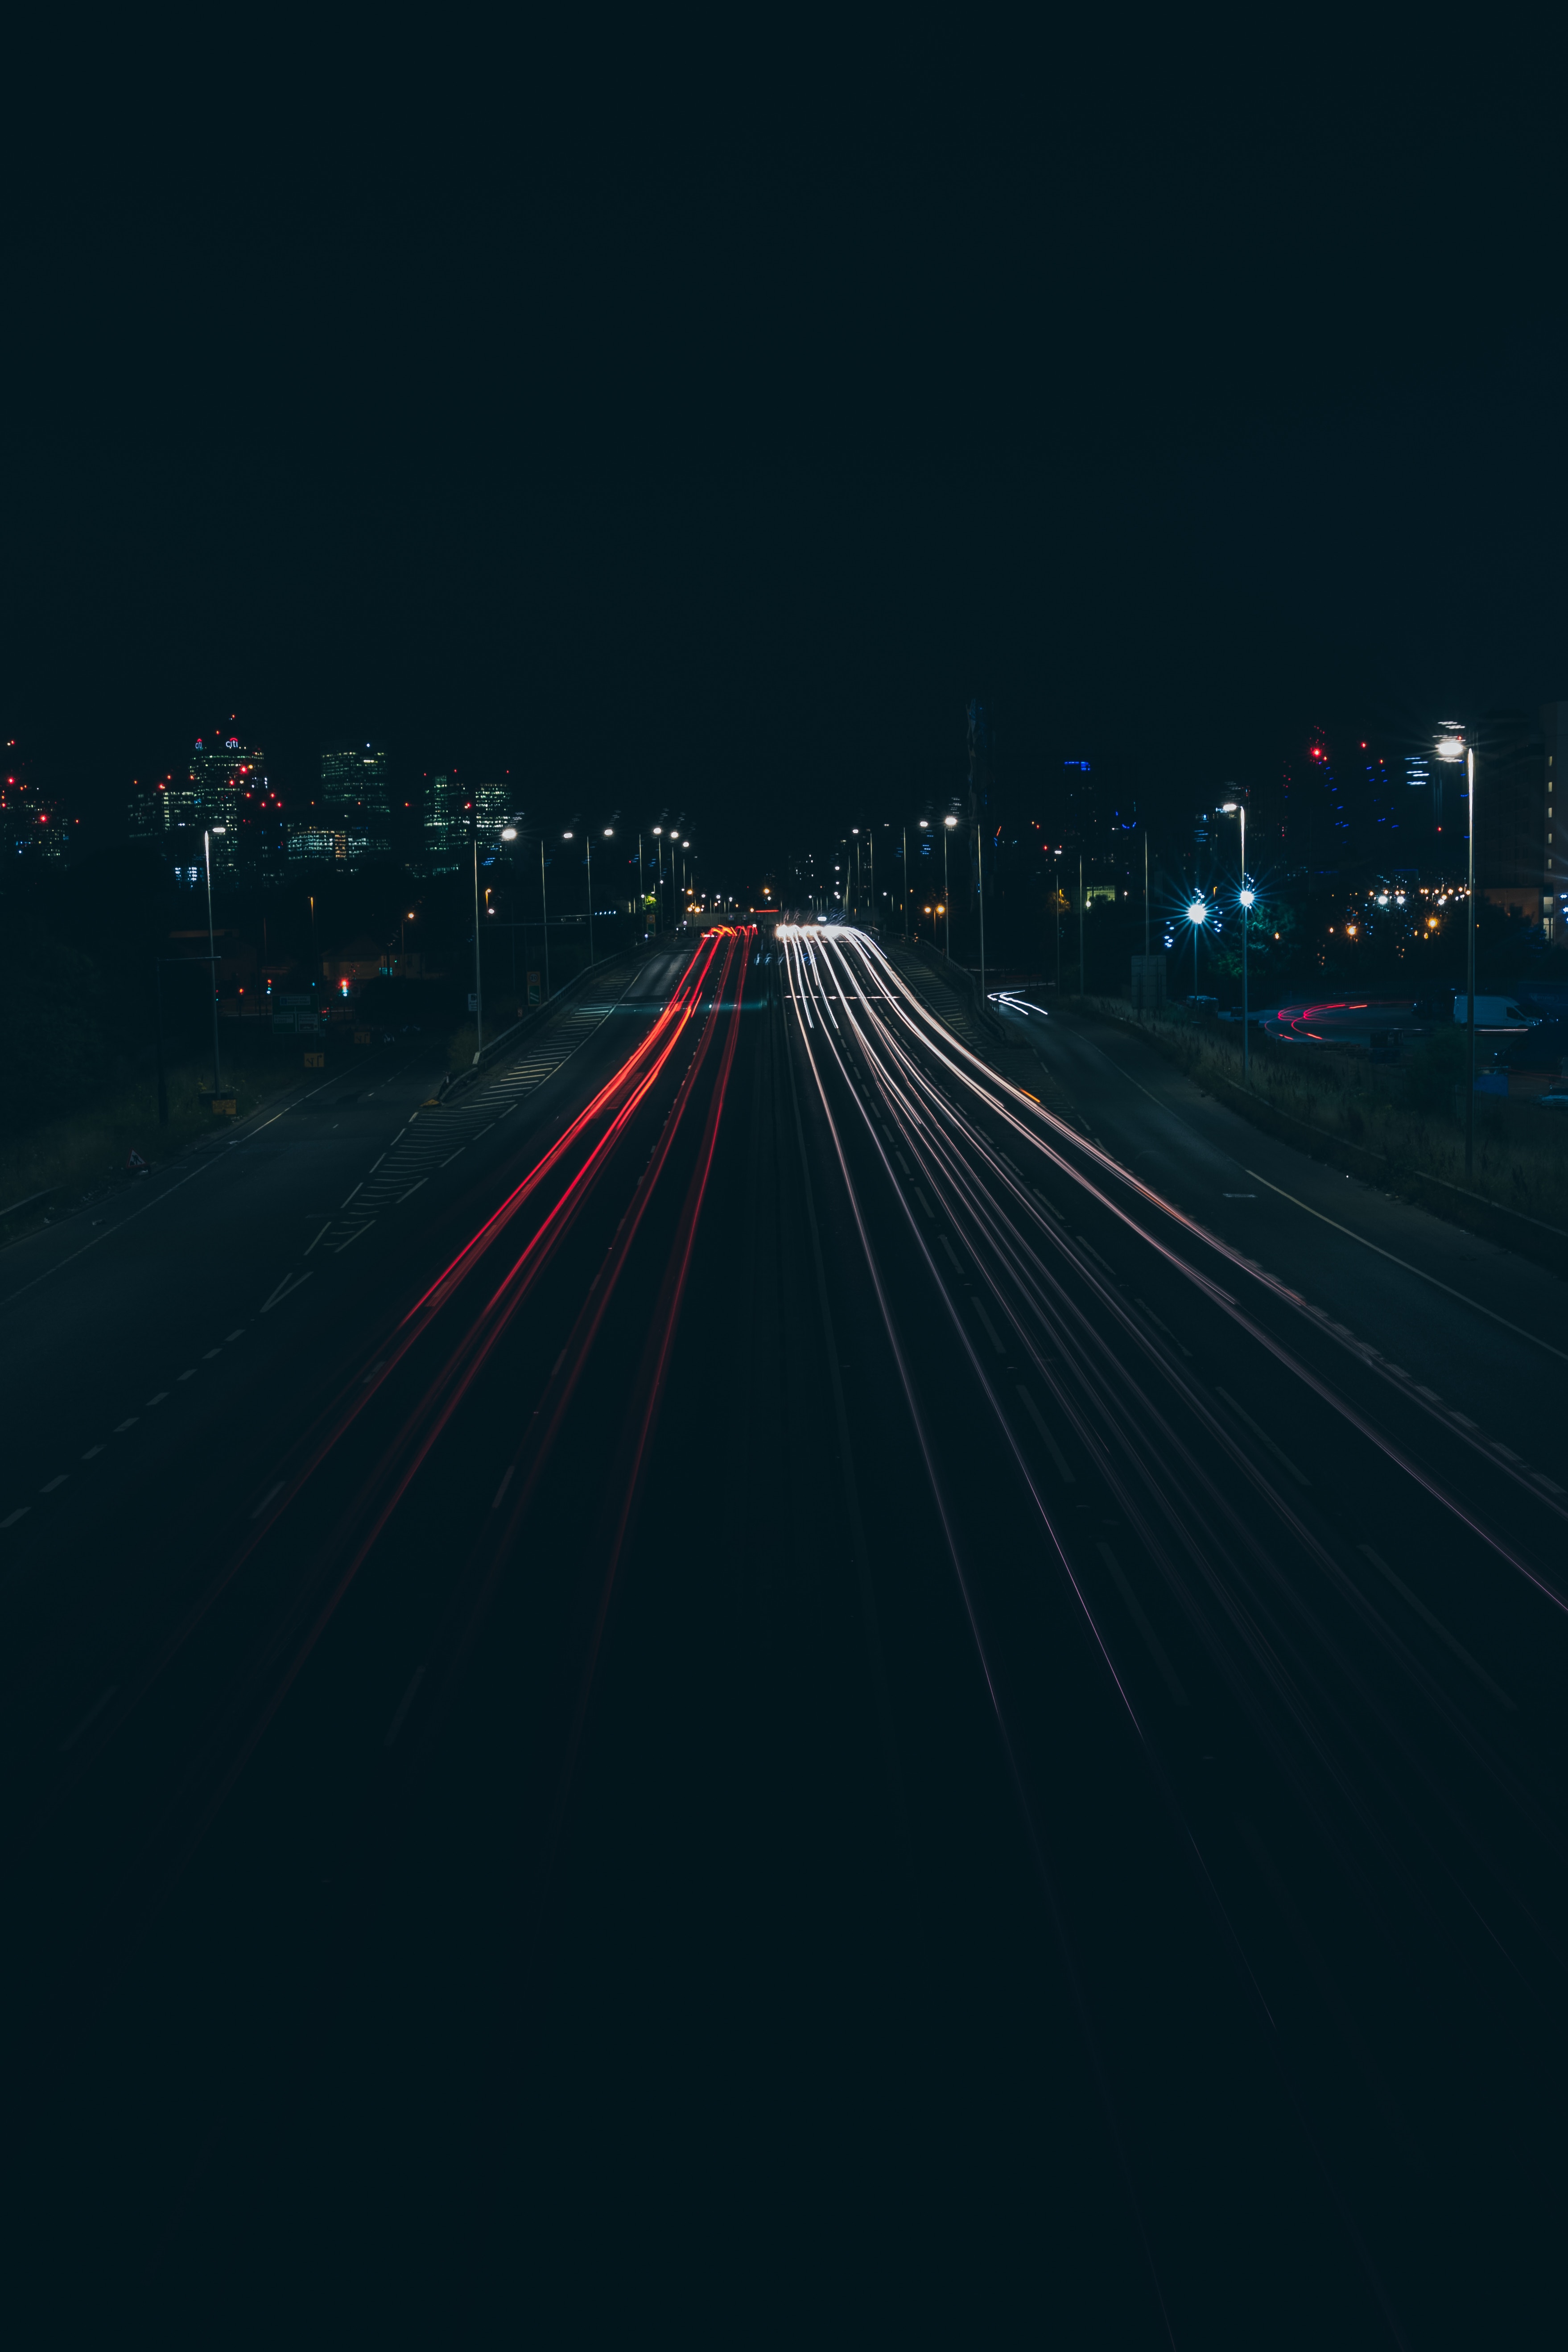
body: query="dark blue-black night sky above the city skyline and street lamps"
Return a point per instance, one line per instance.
(704, 420)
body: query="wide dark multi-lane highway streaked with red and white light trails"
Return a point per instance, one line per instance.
(779, 1673)
